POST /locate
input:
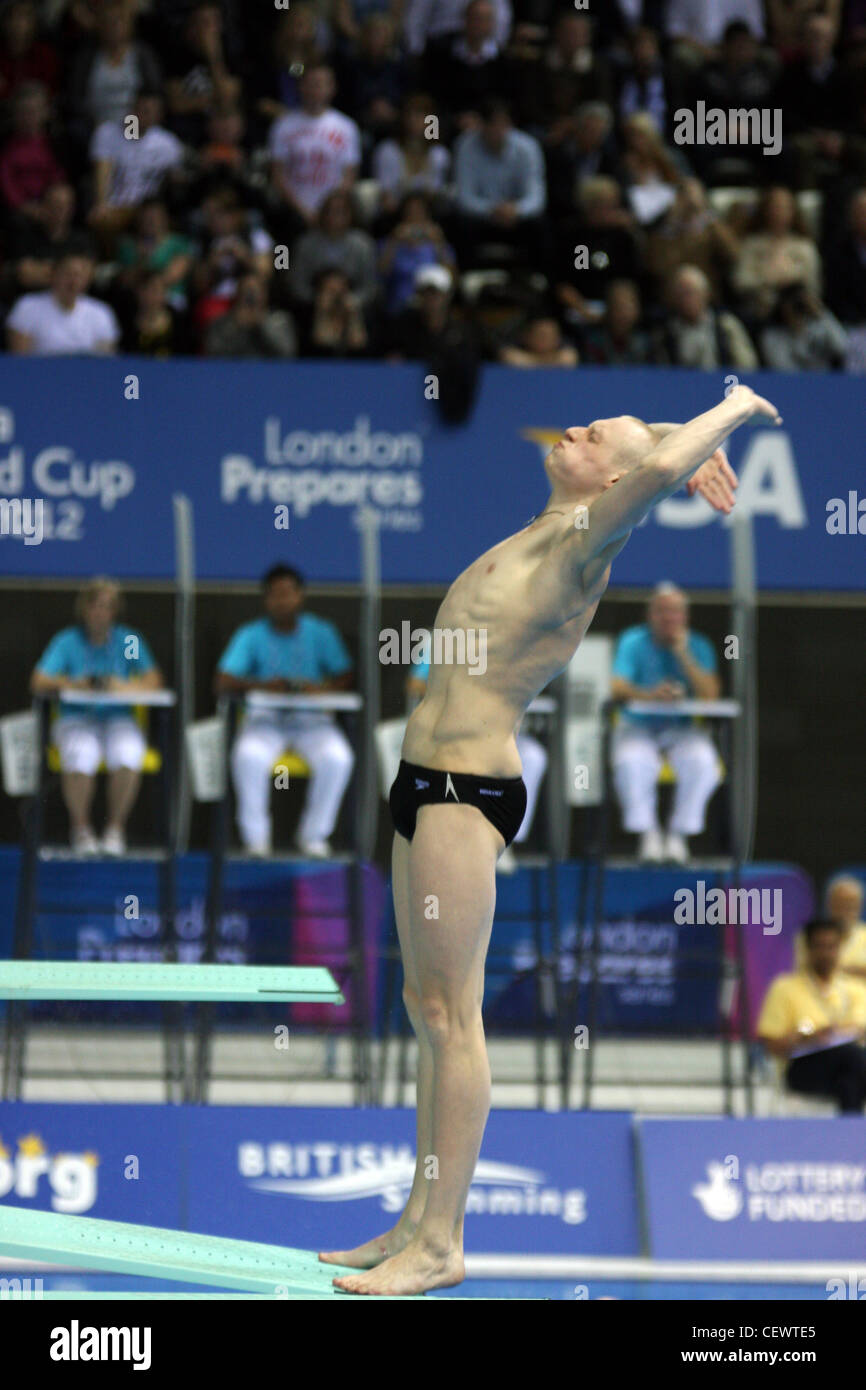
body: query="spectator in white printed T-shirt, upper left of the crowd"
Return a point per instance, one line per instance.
(129, 172)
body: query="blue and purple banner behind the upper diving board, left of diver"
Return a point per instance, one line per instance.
(275, 914)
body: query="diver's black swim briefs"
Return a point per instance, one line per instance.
(503, 800)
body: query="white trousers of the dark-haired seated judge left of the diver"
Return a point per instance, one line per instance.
(258, 747)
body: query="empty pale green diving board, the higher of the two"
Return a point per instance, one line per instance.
(162, 982)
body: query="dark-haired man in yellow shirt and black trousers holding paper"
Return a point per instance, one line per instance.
(815, 1022)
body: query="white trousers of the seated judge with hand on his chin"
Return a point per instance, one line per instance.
(637, 761)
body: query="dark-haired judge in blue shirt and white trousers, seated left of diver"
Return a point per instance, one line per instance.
(288, 651)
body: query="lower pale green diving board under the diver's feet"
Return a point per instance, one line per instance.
(120, 1249)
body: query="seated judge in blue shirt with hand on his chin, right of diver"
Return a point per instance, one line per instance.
(662, 661)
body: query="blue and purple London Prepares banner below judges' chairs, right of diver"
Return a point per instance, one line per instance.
(658, 950)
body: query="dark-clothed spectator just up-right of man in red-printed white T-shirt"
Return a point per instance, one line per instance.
(373, 80)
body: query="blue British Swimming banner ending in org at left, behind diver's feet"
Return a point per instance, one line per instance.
(320, 1179)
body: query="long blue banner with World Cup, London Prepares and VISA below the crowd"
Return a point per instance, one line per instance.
(279, 461)
